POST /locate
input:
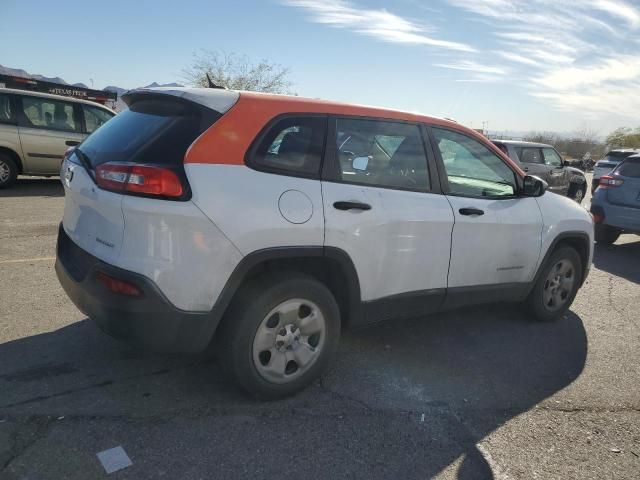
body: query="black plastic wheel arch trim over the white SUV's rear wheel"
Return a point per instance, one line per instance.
(331, 266)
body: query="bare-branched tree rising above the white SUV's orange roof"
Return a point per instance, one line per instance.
(237, 72)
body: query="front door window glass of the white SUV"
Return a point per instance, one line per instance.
(472, 169)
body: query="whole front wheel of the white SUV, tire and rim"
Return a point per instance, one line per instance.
(557, 286)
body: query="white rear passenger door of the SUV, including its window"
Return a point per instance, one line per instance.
(382, 208)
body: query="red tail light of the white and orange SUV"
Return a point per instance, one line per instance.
(140, 179)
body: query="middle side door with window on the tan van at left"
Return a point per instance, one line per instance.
(45, 127)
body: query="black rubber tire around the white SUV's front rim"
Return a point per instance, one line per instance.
(535, 303)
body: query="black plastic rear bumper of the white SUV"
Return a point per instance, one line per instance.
(150, 321)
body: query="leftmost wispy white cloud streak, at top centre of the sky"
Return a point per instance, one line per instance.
(377, 23)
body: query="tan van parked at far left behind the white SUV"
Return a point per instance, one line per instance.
(37, 128)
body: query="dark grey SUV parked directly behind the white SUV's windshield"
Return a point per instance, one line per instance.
(544, 161)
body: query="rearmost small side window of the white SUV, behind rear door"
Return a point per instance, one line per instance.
(291, 146)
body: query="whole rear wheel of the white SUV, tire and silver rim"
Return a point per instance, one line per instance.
(279, 335)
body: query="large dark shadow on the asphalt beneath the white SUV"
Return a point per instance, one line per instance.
(405, 398)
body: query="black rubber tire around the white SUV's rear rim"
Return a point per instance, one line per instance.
(245, 318)
